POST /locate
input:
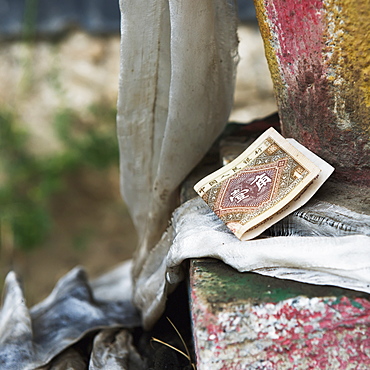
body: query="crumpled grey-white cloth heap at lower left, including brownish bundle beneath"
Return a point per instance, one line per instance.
(33, 338)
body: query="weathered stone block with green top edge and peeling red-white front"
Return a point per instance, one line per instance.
(250, 321)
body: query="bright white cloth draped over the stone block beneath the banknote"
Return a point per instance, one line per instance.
(197, 232)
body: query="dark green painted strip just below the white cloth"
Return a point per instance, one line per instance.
(218, 283)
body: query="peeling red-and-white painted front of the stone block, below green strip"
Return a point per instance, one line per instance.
(297, 333)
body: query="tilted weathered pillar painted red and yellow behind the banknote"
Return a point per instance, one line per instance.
(319, 58)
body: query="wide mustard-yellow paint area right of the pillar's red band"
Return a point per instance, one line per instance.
(348, 43)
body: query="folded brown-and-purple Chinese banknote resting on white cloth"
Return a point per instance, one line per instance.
(273, 177)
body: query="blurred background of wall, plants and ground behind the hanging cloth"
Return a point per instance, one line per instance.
(59, 184)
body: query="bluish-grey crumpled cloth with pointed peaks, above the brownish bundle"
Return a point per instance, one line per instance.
(32, 338)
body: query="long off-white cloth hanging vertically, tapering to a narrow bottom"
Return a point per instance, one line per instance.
(178, 61)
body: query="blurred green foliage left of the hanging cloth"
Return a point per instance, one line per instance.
(28, 181)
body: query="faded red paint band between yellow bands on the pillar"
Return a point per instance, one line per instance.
(303, 94)
